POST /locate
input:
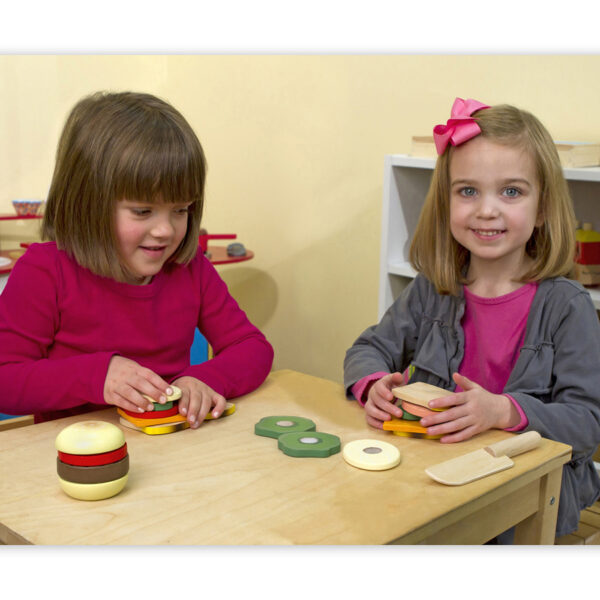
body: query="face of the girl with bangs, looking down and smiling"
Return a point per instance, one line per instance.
(148, 234)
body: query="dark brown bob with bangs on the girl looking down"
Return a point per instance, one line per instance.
(117, 146)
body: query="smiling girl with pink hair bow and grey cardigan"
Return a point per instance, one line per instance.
(490, 315)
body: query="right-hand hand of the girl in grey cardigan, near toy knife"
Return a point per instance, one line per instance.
(473, 410)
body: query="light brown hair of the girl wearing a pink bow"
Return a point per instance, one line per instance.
(436, 254)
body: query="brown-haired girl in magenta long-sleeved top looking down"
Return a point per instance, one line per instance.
(106, 310)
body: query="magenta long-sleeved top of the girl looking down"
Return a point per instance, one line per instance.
(60, 325)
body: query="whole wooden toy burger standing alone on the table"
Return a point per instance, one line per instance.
(92, 462)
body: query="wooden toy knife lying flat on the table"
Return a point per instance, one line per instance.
(483, 462)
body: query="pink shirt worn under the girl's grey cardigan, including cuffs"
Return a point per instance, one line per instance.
(494, 330)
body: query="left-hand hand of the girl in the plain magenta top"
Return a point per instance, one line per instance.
(126, 381)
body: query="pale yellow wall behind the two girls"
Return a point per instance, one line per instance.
(295, 146)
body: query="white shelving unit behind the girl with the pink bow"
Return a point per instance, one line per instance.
(405, 184)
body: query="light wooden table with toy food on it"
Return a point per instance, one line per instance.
(222, 484)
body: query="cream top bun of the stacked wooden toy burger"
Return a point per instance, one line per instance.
(89, 437)
